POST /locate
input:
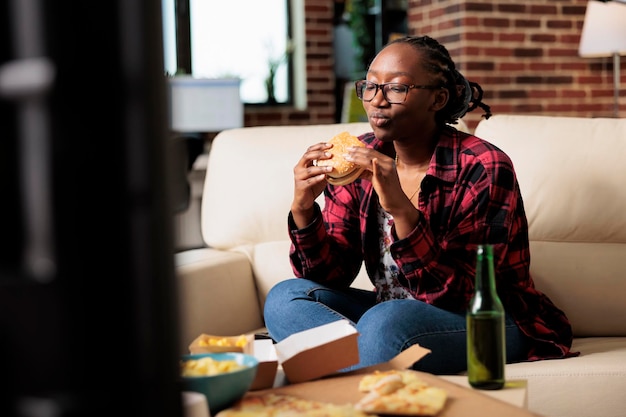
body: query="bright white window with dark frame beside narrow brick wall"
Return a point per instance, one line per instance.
(243, 39)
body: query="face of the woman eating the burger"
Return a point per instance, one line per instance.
(401, 63)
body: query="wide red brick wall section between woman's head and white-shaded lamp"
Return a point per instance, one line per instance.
(524, 55)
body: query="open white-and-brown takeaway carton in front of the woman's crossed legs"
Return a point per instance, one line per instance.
(318, 352)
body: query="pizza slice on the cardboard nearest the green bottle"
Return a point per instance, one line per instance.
(401, 393)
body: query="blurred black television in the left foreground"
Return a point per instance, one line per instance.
(88, 303)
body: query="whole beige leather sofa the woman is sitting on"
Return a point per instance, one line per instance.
(573, 178)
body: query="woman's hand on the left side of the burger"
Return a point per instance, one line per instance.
(309, 182)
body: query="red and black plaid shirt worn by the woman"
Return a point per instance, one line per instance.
(469, 196)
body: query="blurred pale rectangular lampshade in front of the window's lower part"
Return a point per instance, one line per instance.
(199, 105)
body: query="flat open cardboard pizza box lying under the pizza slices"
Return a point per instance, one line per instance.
(342, 388)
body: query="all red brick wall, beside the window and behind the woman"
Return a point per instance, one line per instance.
(524, 55)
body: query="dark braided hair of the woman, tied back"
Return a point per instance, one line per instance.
(465, 96)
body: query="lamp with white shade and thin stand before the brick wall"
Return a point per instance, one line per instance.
(604, 35)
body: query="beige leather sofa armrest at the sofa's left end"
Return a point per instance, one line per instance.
(216, 294)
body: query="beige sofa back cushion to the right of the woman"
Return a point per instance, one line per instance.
(578, 242)
